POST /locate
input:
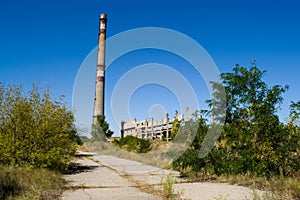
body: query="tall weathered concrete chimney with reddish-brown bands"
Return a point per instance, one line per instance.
(100, 71)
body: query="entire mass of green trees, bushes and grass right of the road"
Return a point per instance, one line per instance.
(254, 147)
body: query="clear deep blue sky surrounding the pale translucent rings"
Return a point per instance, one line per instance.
(46, 41)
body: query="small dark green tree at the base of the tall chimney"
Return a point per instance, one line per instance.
(101, 129)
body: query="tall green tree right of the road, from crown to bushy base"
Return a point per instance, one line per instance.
(253, 139)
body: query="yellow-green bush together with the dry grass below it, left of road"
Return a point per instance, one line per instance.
(37, 141)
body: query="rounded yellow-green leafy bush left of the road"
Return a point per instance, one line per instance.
(35, 130)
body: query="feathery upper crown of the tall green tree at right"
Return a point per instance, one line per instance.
(248, 97)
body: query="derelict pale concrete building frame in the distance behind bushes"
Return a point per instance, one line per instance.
(149, 129)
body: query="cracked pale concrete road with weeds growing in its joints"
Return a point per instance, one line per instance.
(107, 177)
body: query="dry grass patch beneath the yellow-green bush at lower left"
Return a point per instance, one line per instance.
(25, 184)
